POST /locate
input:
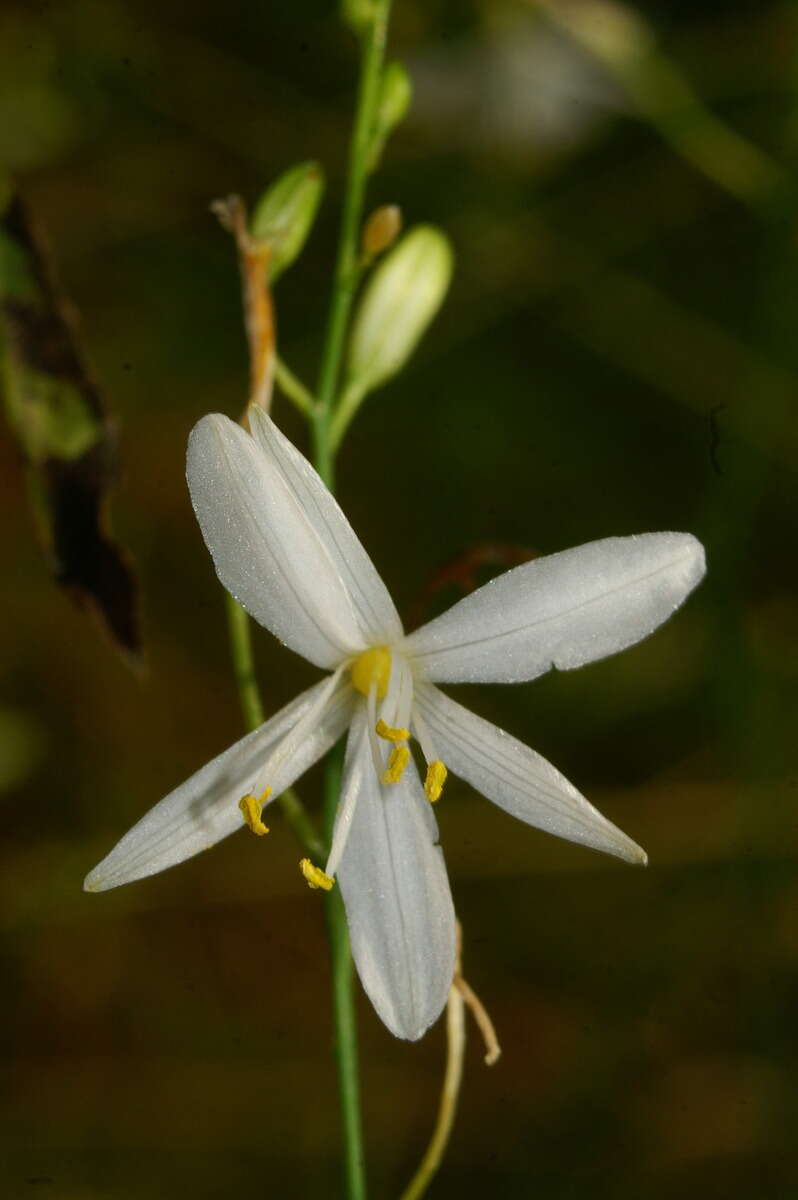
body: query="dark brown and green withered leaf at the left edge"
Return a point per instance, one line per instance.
(65, 436)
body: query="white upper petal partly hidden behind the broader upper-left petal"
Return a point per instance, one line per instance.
(377, 617)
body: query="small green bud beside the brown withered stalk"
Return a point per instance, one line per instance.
(285, 214)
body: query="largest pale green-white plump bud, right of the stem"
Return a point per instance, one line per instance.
(399, 303)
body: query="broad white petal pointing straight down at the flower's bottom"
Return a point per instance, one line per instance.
(397, 893)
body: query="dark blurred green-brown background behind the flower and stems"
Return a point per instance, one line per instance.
(617, 355)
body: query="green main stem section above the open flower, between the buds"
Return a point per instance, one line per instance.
(347, 267)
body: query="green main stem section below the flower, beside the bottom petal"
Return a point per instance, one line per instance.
(344, 1006)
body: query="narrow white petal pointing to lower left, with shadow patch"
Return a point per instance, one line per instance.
(206, 809)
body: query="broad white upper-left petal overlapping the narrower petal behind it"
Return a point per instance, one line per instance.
(267, 551)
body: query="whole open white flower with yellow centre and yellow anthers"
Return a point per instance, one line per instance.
(285, 550)
